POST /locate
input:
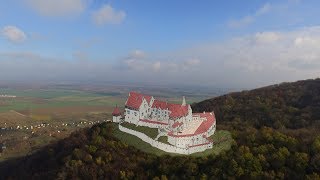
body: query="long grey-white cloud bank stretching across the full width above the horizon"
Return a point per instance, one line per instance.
(248, 61)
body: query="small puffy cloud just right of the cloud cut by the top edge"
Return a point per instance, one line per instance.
(107, 15)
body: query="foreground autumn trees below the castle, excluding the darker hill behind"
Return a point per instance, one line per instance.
(95, 154)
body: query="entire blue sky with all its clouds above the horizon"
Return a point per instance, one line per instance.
(215, 43)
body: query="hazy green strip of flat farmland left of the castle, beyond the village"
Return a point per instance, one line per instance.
(34, 99)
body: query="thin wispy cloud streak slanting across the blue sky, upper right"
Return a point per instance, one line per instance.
(246, 20)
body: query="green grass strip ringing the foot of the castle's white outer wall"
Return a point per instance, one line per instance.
(143, 146)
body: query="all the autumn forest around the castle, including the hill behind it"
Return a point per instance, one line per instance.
(274, 128)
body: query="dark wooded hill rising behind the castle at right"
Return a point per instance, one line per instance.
(290, 105)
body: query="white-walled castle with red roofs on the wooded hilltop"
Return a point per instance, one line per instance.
(186, 131)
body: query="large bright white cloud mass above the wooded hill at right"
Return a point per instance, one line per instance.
(261, 58)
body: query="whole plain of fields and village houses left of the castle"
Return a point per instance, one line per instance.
(36, 117)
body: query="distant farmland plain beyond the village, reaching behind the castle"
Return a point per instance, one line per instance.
(44, 104)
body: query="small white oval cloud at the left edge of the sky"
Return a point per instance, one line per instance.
(13, 34)
